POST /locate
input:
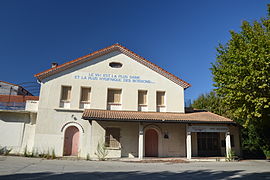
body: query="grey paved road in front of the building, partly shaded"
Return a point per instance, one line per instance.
(34, 168)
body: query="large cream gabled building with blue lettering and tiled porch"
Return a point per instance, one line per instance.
(135, 108)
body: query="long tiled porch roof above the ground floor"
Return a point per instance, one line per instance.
(131, 116)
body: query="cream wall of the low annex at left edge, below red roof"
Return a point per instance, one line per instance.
(17, 128)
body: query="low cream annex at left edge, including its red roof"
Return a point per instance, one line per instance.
(17, 123)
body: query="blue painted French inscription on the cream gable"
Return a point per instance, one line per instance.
(112, 77)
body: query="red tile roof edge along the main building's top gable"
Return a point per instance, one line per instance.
(115, 47)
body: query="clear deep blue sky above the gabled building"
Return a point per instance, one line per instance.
(180, 36)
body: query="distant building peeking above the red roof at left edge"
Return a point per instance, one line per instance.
(7, 88)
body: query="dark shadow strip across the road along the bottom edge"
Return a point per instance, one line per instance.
(134, 175)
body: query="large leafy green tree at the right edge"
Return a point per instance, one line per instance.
(242, 78)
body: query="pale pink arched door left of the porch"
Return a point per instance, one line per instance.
(71, 142)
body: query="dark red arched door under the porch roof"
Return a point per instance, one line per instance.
(151, 143)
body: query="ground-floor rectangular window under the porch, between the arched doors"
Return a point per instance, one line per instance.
(112, 137)
